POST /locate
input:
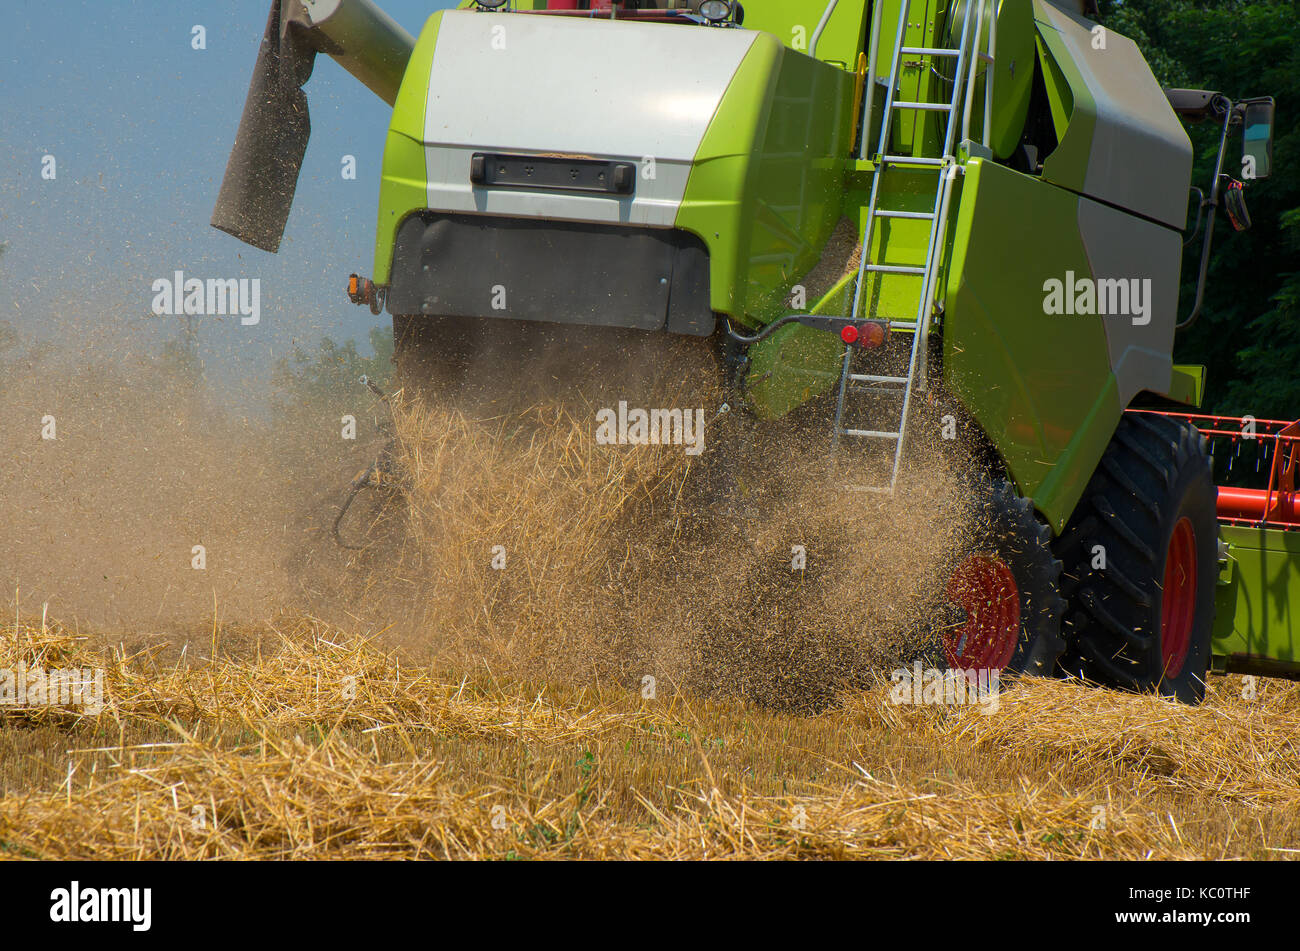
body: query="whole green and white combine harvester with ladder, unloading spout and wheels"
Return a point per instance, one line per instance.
(1015, 188)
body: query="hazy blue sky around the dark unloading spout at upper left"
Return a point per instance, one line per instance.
(141, 127)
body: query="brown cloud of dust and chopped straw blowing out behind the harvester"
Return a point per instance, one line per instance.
(512, 540)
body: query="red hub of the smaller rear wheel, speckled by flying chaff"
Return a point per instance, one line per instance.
(986, 589)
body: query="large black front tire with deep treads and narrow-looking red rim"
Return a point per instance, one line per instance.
(1154, 479)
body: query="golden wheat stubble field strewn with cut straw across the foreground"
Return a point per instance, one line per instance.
(311, 745)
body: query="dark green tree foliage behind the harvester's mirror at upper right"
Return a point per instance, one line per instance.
(1249, 333)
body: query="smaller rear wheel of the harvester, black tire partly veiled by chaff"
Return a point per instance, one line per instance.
(1008, 544)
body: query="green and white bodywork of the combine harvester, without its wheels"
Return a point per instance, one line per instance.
(755, 146)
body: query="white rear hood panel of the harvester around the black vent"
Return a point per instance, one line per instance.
(574, 86)
